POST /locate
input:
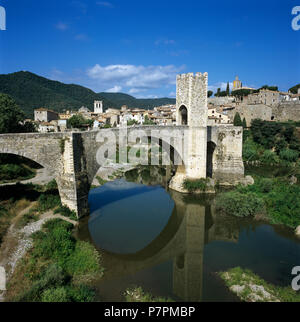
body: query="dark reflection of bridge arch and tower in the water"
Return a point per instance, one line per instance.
(191, 225)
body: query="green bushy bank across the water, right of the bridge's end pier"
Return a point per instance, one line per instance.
(274, 198)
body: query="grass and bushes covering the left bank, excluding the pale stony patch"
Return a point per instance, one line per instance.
(57, 267)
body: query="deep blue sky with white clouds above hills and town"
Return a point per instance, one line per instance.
(138, 46)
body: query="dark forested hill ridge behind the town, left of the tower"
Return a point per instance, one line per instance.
(31, 91)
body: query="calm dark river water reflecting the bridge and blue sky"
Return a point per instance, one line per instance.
(172, 245)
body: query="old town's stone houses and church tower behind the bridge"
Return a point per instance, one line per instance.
(265, 104)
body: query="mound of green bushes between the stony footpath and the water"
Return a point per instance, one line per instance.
(58, 268)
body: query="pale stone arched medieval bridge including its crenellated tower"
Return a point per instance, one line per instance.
(73, 157)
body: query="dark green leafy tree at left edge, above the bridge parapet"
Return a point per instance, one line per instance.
(11, 115)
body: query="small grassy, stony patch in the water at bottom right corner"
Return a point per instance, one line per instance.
(246, 279)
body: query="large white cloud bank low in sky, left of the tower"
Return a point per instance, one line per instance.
(134, 77)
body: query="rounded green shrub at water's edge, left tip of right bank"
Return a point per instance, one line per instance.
(239, 204)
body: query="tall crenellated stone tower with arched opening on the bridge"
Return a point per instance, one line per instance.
(192, 111)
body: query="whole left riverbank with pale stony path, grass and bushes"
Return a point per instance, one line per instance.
(43, 215)
